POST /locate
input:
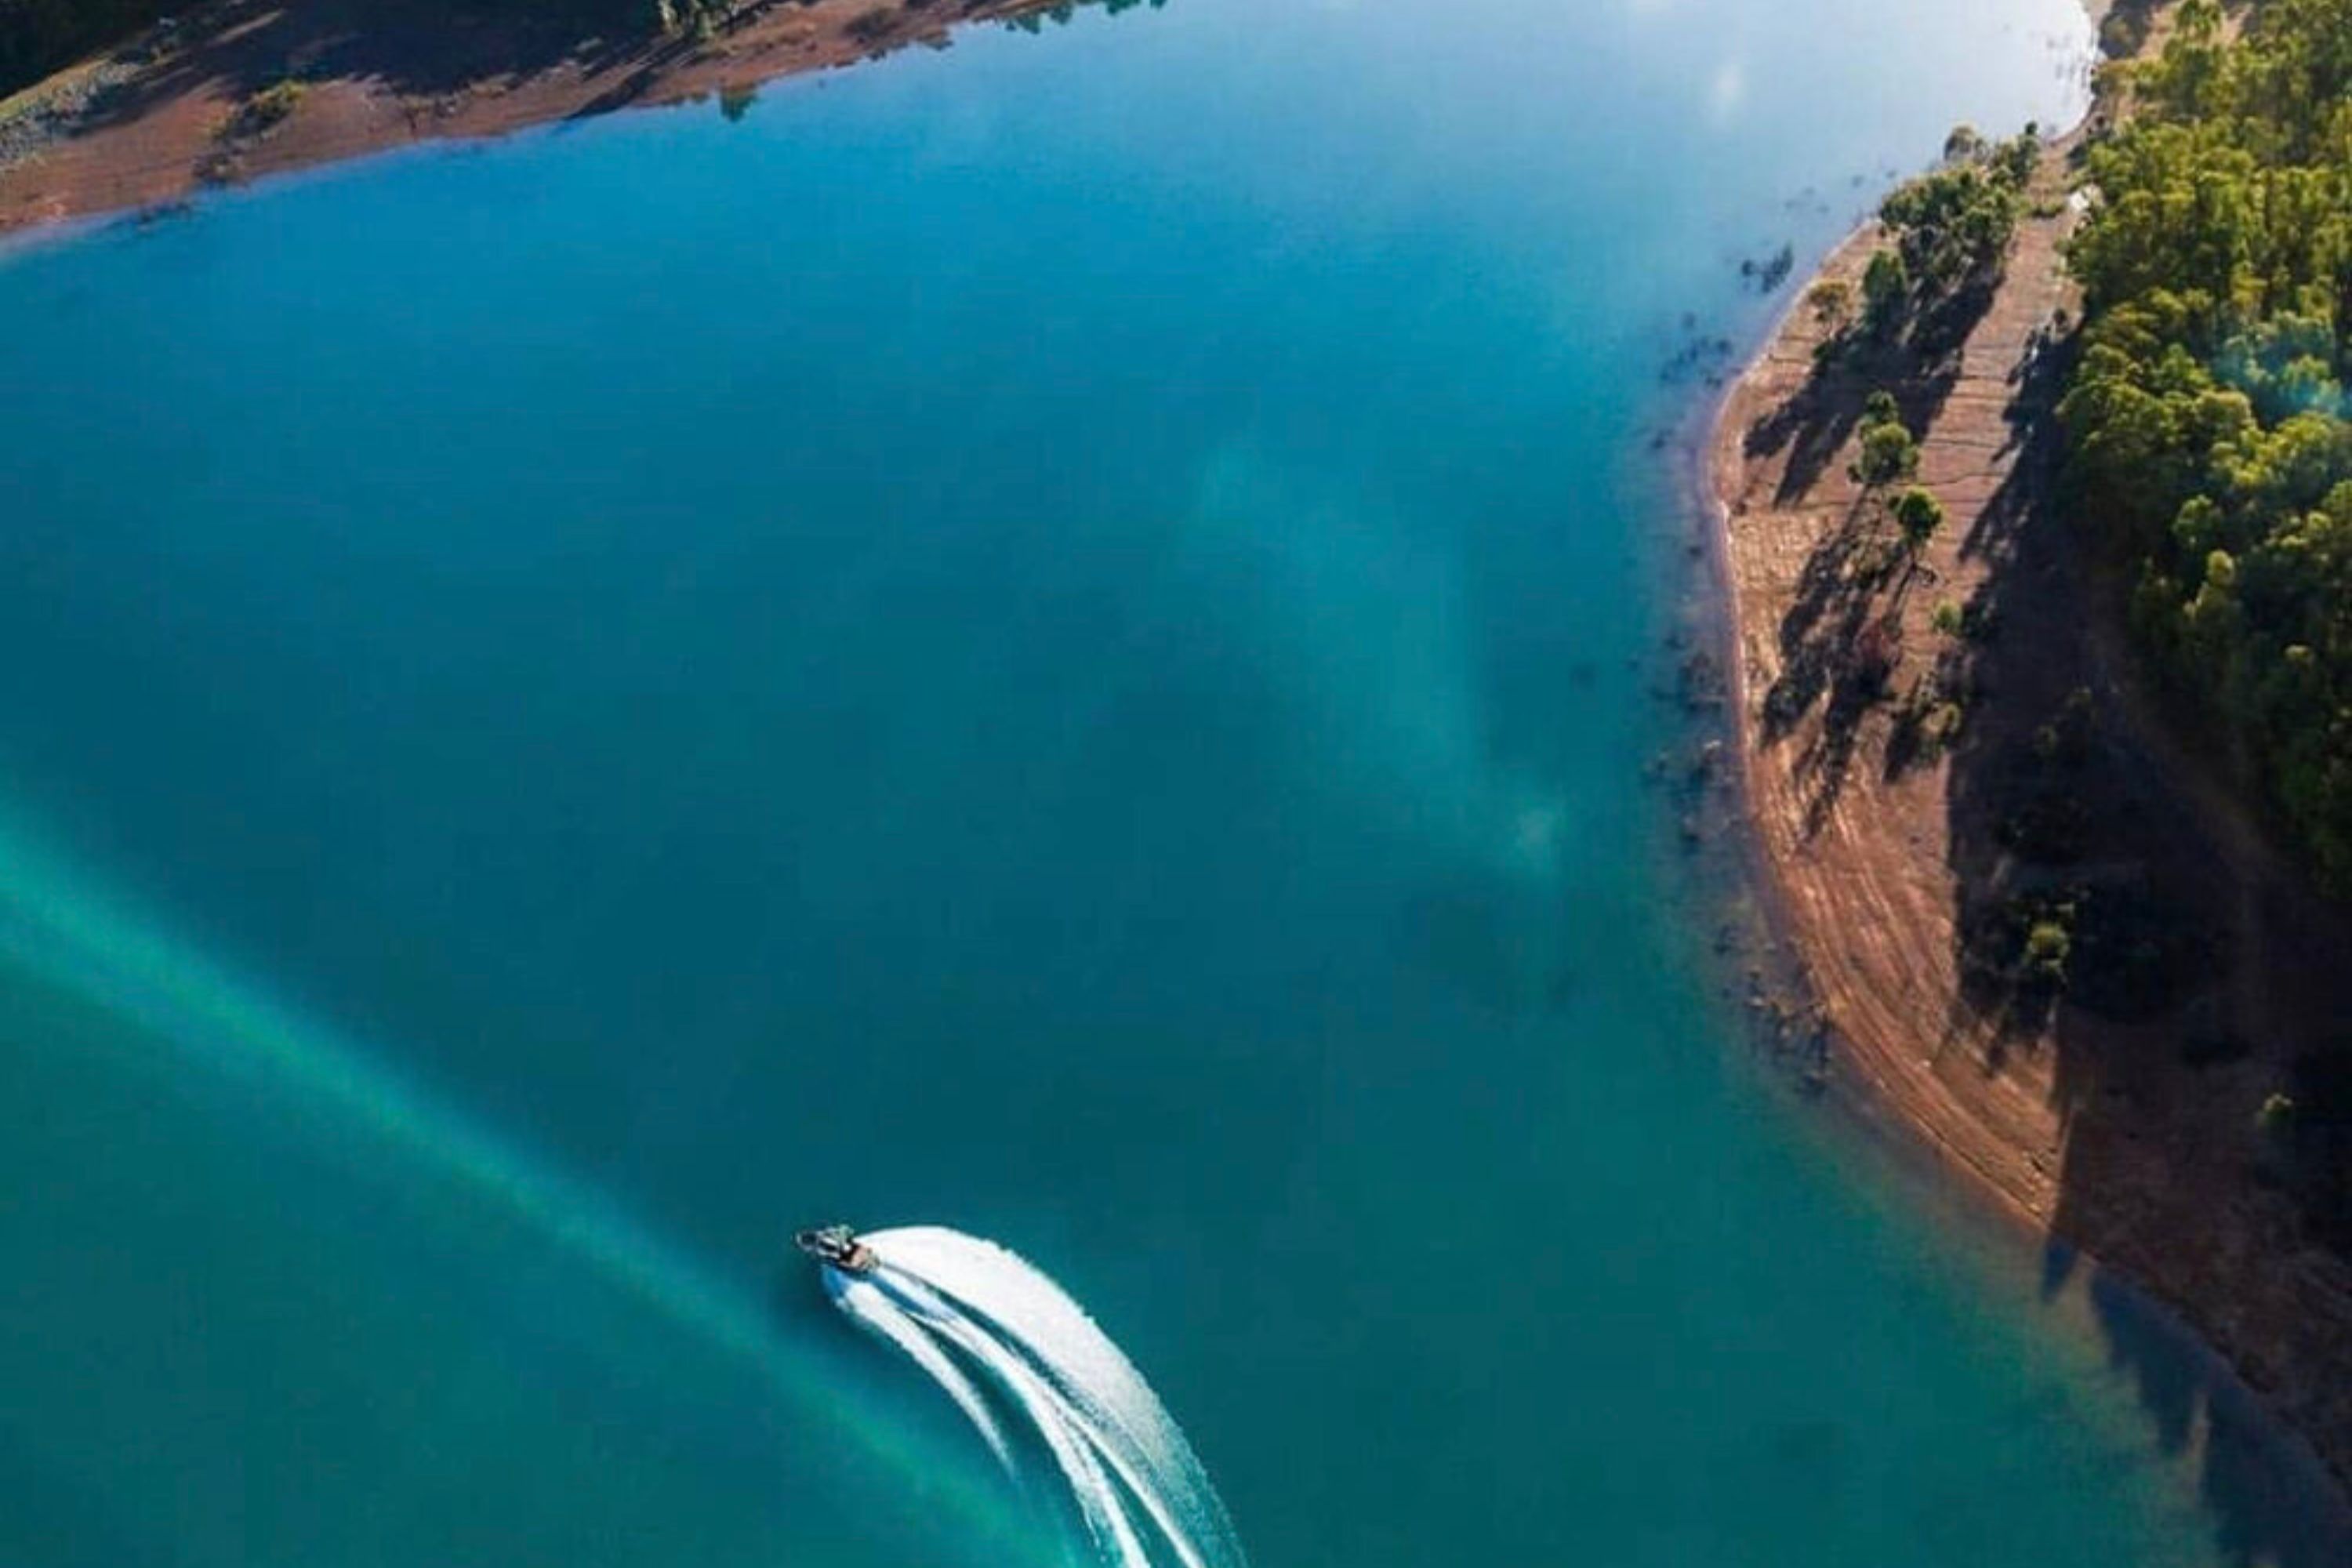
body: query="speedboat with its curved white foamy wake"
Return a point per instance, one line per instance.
(1008, 1343)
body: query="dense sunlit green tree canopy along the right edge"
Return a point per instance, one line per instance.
(2205, 420)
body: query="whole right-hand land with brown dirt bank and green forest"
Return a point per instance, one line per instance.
(2038, 525)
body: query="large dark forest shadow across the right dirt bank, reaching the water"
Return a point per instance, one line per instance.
(2179, 989)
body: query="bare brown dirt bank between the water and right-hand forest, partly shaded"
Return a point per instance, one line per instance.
(1927, 789)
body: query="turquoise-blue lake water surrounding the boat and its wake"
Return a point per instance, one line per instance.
(1060, 641)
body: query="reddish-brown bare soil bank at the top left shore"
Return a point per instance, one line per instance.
(201, 102)
